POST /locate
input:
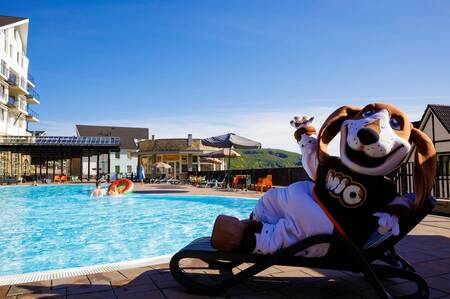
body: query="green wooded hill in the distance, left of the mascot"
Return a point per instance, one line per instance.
(265, 158)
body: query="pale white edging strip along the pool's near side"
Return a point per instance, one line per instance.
(77, 271)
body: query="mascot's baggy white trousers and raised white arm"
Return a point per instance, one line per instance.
(291, 214)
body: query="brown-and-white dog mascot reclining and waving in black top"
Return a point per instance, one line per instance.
(349, 194)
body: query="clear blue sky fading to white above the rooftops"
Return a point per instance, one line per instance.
(209, 67)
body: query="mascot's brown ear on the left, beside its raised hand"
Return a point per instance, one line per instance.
(331, 128)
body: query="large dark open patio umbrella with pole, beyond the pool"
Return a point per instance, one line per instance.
(230, 141)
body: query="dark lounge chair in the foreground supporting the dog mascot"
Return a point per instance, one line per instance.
(347, 257)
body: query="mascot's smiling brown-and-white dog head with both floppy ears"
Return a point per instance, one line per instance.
(376, 139)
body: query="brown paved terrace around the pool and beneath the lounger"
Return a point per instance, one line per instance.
(427, 247)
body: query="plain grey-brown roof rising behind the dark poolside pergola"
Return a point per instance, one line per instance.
(126, 134)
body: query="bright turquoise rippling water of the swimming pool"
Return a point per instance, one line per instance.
(55, 227)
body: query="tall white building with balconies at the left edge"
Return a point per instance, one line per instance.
(17, 90)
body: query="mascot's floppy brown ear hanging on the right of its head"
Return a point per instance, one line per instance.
(424, 166)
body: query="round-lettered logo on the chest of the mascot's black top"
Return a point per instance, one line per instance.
(350, 194)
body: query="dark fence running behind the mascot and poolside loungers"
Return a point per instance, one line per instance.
(403, 177)
